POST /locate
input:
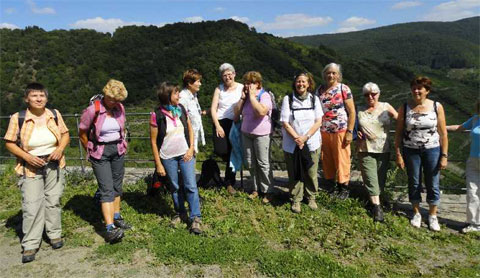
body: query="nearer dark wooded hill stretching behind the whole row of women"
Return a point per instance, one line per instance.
(76, 64)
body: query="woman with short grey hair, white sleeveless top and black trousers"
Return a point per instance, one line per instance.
(225, 96)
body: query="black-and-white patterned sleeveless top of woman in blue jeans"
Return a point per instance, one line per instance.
(421, 129)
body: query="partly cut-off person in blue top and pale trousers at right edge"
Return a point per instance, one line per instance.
(472, 171)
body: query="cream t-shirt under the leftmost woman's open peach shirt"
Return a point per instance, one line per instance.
(42, 142)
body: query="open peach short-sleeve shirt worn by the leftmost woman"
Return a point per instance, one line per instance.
(26, 133)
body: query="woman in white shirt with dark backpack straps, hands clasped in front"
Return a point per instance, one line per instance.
(302, 117)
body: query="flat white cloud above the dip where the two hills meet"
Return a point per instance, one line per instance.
(292, 21)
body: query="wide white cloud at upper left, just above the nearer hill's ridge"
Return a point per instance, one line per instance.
(105, 25)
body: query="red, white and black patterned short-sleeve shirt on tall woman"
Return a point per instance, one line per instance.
(335, 117)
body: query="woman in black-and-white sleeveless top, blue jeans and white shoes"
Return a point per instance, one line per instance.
(421, 145)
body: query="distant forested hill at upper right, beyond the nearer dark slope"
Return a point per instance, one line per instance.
(432, 44)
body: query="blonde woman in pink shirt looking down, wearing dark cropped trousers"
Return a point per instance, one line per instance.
(102, 134)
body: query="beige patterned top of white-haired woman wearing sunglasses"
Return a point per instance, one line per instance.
(375, 126)
